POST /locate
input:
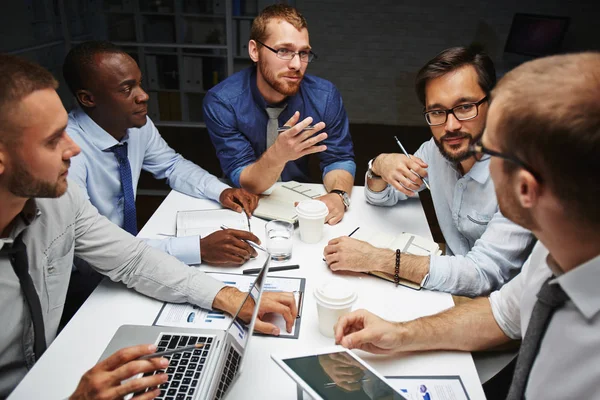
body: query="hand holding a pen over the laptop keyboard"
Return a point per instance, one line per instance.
(105, 380)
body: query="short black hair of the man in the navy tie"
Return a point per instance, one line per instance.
(79, 62)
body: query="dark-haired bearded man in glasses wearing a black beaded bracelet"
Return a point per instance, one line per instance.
(484, 250)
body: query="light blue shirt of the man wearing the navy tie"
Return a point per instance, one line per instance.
(96, 170)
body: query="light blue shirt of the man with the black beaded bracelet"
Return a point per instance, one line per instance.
(484, 250)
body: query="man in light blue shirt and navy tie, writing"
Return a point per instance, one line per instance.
(111, 117)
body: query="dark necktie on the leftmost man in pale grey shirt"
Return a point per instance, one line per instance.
(17, 254)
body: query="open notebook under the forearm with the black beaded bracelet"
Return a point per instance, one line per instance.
(406, 242)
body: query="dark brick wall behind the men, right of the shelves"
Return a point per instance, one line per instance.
(371, 50)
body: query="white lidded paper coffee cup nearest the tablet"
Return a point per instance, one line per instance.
(334, 299)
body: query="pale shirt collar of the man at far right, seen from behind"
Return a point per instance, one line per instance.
(581, 284)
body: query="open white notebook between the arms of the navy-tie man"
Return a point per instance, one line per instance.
(204, 222)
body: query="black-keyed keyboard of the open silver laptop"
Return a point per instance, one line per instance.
(185, 368)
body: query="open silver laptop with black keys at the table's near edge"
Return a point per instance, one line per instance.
(205, 373)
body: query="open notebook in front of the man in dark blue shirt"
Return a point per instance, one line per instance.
(280, 203)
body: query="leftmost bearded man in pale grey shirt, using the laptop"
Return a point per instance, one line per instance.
(45, 222)
